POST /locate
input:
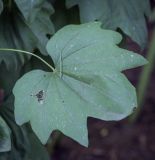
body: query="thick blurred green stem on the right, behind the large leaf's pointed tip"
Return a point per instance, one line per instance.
(144, 78)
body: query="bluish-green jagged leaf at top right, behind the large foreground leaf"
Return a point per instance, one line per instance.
(125, 14)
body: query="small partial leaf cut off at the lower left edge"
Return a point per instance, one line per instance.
(5, 141)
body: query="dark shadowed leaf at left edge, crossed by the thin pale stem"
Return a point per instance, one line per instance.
(14, 34)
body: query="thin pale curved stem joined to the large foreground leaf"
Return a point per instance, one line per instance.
(26, 52)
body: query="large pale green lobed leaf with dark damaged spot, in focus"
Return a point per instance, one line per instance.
(87, 82)
